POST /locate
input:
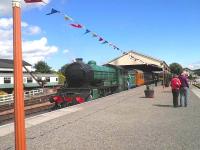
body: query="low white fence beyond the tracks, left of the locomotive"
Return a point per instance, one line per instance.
(27, 94)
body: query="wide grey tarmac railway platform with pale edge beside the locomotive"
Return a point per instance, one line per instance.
(122, 121)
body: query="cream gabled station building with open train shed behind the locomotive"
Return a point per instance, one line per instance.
(153, 69)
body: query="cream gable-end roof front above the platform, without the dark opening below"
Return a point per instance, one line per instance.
(145, 59)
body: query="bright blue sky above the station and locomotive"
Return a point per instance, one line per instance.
(164, 29)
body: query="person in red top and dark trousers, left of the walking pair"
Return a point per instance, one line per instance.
(175, 85)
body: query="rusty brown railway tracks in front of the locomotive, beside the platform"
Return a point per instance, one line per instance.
(33, 105)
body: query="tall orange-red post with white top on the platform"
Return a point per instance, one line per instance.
(20, 137)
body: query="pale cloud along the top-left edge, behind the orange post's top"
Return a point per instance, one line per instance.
(6, 6)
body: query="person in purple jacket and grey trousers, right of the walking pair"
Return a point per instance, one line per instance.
(184, 89)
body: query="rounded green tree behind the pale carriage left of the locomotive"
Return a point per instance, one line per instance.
(42, 67)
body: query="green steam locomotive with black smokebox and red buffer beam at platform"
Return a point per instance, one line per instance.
(85, 82)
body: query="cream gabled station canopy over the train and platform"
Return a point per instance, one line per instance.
(135, 60)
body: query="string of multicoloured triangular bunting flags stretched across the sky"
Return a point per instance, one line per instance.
(87, 31)
